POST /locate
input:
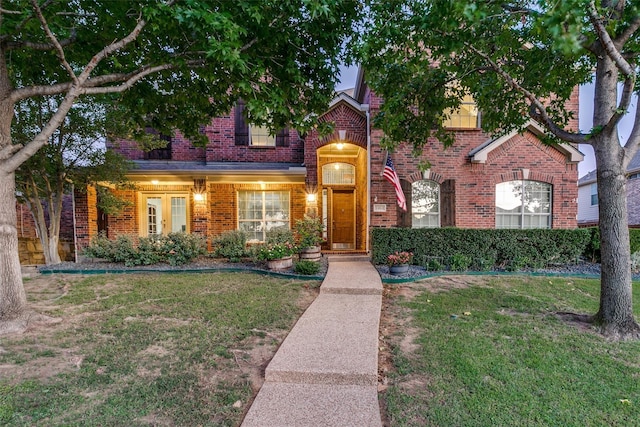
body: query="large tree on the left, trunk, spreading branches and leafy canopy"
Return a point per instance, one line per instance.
(175, 63)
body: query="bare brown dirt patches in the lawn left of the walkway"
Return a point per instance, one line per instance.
(44, 358)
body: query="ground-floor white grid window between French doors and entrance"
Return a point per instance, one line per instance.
(260, 211)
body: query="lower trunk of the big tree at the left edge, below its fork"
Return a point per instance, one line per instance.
(13, 300)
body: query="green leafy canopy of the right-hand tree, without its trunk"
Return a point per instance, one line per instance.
(518, 59)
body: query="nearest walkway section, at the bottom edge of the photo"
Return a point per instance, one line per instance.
(314, 405)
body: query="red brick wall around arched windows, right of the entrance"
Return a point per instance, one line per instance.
(475, 183)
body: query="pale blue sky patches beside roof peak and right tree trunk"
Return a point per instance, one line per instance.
(348, 78)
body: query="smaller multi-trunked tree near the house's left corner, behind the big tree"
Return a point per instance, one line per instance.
(74, 157)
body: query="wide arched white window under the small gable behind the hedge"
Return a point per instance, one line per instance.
(523, 204)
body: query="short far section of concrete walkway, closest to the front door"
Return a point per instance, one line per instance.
(352, 277)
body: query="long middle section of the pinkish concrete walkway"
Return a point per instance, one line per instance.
(334, 342)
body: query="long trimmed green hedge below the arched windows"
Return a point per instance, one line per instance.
(503, 248)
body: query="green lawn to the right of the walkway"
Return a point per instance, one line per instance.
(510, 361)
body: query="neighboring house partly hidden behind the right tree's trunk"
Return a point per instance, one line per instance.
(588, 214)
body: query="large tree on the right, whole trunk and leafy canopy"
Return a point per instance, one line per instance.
(519, 60)
